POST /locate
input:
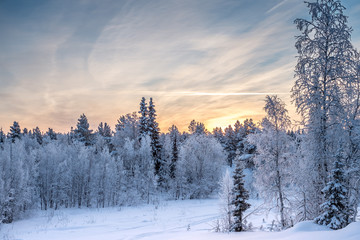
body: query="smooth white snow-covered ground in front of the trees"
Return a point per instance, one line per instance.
(189, 219)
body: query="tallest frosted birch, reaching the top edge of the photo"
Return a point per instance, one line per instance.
(324, 54)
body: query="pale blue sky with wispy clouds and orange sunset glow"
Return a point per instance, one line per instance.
(209, 60)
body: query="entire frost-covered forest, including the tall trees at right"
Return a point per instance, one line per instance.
(307, 170)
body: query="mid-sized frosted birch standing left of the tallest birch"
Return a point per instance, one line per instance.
(273, 154)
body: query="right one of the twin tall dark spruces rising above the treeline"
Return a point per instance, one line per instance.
(154, 132)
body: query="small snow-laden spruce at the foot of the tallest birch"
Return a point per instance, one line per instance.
(335, 209)
